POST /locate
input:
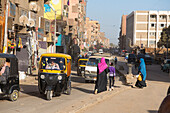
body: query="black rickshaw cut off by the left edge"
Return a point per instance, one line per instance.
(9, 81)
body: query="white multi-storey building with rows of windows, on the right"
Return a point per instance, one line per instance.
(143, 28)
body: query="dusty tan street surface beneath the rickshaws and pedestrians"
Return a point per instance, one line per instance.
(83, 100)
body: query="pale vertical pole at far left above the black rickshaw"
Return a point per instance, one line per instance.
(6, 28)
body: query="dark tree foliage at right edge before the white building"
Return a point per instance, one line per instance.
(165, 38)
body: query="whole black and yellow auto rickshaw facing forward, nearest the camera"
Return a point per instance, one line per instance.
(54, 75)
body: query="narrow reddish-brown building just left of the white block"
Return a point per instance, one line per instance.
(122, 34)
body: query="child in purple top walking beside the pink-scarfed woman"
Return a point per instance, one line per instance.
(112, 74)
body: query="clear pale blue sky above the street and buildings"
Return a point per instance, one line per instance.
(109, 12)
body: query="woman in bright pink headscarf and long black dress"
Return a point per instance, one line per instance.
(101, 82)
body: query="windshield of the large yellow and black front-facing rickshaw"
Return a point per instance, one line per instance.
(53, 63)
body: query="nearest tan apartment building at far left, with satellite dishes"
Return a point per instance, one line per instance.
(22, 29)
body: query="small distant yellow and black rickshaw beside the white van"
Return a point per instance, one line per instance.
(81, 66)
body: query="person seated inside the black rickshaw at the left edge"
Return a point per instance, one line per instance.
(5, 70)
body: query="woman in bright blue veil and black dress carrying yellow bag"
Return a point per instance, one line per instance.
(142, 73)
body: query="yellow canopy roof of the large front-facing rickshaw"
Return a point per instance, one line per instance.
(56, 55)
